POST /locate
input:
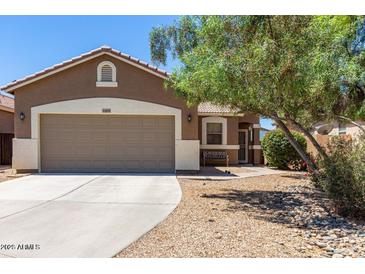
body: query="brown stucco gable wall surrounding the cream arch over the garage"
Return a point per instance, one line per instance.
(80, 82)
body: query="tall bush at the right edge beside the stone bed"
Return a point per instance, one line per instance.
(342, 175)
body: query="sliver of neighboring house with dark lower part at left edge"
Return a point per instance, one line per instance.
(6, 128)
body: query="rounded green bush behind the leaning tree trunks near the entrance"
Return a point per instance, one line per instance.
(279, 152)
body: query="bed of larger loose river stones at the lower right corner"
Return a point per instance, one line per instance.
(336, 237)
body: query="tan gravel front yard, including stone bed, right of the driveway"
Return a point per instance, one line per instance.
(267, 216)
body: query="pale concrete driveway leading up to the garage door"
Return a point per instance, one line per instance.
(81, 215)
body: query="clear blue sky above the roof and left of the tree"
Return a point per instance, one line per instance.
(32, 43)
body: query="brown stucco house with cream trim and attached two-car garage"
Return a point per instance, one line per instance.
(105, 111)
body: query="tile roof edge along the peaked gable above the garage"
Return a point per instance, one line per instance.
(105, 49)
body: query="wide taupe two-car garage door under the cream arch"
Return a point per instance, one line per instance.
(107, 143)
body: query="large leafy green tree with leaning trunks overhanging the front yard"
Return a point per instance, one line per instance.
(292, 69)
